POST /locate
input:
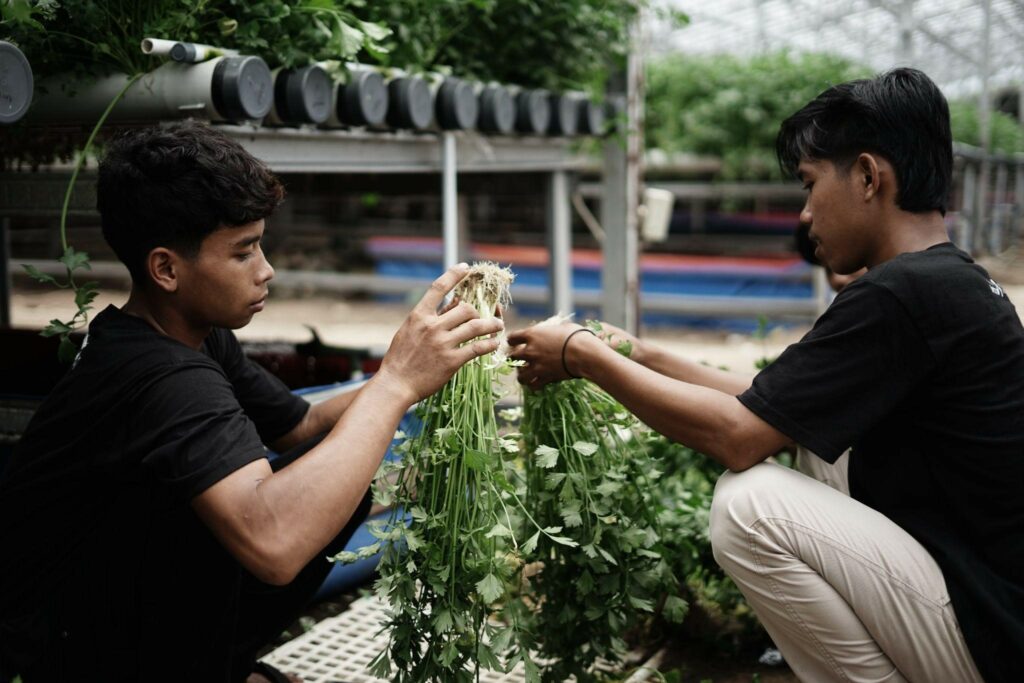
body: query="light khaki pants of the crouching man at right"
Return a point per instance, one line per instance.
(845, 593)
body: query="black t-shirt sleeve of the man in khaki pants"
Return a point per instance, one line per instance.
(864, 357)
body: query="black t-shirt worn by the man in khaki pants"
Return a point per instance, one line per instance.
(919, 366)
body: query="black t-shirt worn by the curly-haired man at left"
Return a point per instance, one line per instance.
(103, 563)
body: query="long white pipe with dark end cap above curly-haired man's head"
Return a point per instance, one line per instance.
(231, 89)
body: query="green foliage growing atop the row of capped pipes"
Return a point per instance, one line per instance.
(548, 44)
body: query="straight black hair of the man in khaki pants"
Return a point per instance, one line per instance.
(900, 115)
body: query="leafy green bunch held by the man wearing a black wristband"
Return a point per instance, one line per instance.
(588, 469)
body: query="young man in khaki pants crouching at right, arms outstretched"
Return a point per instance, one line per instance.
(919, 366)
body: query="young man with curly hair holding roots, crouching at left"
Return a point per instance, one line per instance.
(145, 536)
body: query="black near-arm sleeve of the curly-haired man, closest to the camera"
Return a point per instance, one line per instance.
(195, 432)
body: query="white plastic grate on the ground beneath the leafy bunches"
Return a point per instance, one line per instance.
(340, 649)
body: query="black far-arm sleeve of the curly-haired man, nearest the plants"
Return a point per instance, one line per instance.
(267, 401)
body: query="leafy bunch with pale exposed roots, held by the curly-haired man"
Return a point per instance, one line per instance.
(446, 574)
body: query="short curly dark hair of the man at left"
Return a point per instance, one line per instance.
(174, 187)
